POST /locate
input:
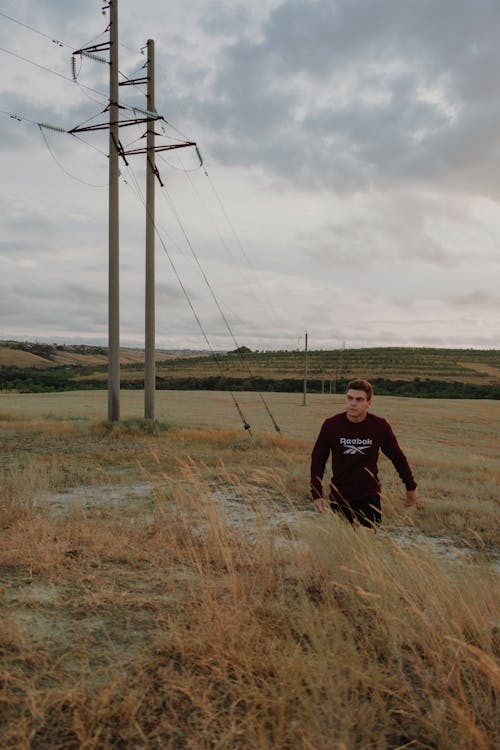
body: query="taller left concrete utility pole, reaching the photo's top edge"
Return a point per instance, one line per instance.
(114, 239)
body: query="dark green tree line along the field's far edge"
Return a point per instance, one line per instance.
(63, 378)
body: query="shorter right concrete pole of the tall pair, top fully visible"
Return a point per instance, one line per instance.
(149, 346)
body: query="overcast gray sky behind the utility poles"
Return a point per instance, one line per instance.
(350, 185)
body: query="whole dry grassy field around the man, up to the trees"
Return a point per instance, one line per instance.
(168, 586)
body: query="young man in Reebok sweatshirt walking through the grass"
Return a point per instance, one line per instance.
(354, 438)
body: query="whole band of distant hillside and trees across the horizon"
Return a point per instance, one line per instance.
(416, 372)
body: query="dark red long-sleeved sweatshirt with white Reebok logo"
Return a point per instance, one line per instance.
(354, 447)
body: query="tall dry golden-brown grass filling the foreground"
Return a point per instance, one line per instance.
(189, 628)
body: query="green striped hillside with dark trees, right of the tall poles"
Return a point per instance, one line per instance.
(450, 373)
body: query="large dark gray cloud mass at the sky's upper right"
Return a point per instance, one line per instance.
(402, 102)
